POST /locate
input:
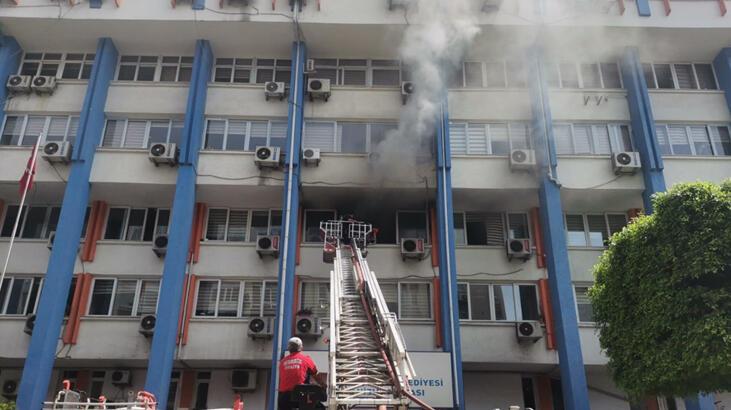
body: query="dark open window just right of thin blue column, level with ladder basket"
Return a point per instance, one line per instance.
(488, 228)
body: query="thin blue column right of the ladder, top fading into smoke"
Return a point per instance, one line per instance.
(447, 262)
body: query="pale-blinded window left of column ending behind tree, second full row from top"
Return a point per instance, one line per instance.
(591, 139)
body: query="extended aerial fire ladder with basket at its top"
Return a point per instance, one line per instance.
(369, 367)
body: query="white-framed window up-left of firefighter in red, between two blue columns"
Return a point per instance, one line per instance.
(225, 298)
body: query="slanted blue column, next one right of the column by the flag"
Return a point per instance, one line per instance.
(164, 341)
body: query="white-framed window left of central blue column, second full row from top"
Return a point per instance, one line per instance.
(242, 135)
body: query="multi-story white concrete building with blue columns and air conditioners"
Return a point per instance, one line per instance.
(646, 77)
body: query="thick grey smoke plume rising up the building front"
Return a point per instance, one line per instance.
(433, 46)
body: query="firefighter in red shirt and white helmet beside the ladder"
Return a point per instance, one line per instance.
(295, 369)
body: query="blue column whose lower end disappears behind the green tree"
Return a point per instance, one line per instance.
(644, 135)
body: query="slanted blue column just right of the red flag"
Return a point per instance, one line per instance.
(56, 284)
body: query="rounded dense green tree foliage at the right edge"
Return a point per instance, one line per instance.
(662, 296)
